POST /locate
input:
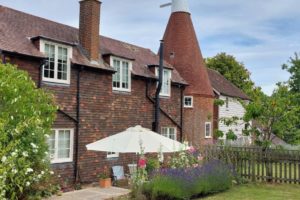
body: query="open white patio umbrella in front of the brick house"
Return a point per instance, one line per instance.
(131, 140)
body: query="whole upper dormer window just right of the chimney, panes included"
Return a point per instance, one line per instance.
(122, 76)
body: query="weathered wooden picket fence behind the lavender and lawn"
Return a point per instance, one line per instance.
(257, 164)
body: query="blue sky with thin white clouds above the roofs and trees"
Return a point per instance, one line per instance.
(261, 34)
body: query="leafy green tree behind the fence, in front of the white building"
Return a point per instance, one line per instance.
(277, 115)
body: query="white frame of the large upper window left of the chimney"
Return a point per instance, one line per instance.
(70, 53)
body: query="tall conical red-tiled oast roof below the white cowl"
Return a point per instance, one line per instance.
(181, 42)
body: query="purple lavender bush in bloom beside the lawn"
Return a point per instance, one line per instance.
(187, 183)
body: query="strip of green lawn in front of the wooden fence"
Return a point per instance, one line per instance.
(260, 191)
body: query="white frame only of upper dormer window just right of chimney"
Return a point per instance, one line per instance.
(112, 58)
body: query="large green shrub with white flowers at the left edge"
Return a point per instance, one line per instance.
(26, 116)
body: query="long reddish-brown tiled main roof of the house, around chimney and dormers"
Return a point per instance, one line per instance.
(18, 28)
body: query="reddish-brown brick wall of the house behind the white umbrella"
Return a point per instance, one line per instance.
(103, 112)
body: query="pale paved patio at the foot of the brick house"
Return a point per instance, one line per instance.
(93, 193)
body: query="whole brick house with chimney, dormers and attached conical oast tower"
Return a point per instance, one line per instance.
(103, 86)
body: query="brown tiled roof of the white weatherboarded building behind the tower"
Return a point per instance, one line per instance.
(225, 87)
